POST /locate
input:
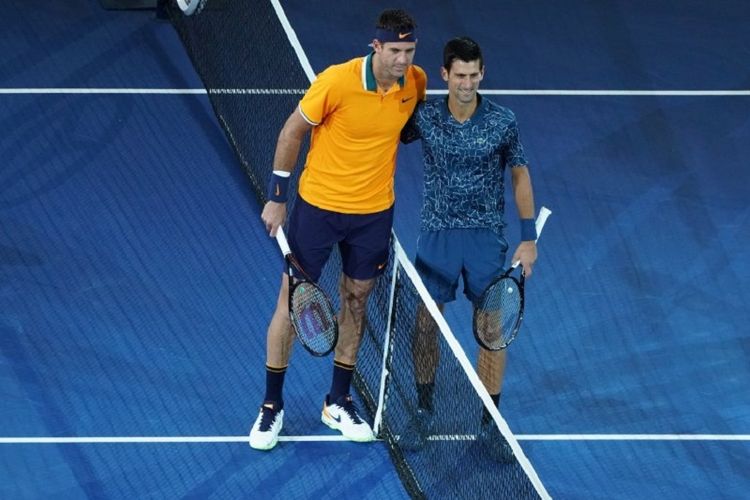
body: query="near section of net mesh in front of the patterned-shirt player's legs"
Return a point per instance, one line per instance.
(457, 456)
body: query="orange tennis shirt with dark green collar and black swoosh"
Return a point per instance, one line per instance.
(352, 157)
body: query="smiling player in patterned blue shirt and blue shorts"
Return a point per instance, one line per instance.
(468, 143)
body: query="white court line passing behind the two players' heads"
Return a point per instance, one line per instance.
(551, 92)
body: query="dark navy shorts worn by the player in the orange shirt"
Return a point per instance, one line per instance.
(363, 239)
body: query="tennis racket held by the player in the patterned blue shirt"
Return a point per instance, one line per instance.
(499, 312)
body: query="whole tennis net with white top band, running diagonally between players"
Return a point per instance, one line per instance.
(254, 73)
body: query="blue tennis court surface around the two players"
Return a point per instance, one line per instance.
(137, 281)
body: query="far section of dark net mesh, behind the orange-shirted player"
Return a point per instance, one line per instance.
(252, 75)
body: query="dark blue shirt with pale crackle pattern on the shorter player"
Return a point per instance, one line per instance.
(464, 163)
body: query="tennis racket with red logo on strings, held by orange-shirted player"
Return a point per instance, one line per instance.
(310, 309)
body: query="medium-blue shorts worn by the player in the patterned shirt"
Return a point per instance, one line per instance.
(477, 255)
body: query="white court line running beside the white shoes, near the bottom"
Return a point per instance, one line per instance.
(325, 438)
